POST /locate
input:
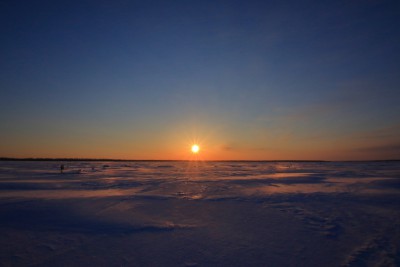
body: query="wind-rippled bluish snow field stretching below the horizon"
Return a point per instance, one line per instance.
(200, 214)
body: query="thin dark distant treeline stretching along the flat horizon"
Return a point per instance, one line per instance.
(125, 160)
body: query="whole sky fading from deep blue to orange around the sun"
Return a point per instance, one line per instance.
(246, 80)
